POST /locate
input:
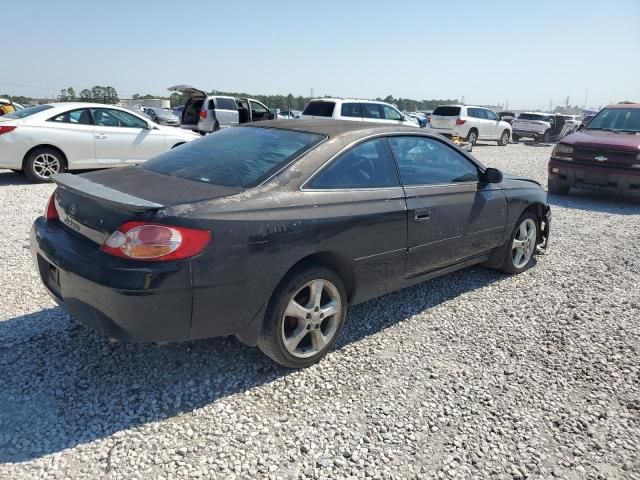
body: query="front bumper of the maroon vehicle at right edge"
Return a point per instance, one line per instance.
(618, 181)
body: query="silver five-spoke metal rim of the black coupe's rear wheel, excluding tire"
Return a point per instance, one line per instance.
(311, 318)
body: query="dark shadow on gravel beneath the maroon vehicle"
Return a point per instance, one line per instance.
(596, 202)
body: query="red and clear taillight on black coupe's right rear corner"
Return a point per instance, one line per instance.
(155, 242)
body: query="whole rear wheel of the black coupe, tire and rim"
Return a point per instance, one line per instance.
(283, 336)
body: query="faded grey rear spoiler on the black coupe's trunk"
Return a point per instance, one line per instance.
(86, 188)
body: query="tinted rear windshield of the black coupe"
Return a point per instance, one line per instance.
(235, 157)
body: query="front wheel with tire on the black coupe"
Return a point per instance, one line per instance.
(522, 244)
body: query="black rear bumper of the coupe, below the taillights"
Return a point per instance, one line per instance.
(149, 302)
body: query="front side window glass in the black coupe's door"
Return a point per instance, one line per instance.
(425, 161)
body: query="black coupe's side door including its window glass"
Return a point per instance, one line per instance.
(452, 214)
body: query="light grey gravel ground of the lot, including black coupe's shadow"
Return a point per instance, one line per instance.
(473, 375)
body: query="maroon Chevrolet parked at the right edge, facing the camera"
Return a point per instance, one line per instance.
(605, 156)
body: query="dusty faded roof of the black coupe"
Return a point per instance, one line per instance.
(333, 128)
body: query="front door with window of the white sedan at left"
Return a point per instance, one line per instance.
(123, 138)
